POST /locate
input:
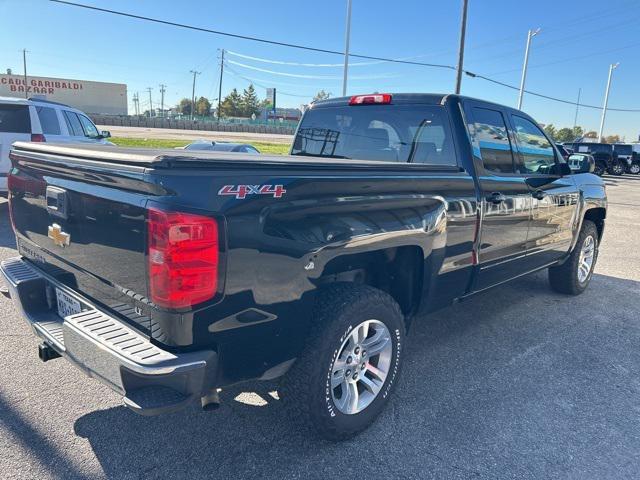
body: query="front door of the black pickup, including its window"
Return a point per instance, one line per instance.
(555, 198)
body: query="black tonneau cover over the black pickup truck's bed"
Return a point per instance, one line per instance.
(166, 158)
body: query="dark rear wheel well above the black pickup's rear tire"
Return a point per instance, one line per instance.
(396, 271)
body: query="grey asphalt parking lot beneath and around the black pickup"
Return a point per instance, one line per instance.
(517, 383)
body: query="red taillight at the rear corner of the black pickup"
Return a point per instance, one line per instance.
(183, 258)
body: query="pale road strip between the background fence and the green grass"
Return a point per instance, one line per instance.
(177, 134)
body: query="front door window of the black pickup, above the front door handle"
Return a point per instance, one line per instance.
(536, 151)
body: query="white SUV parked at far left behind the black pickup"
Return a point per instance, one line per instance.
(41, 121)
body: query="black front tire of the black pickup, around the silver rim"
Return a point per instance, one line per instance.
(564, 278)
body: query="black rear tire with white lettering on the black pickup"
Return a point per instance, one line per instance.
(307, 387)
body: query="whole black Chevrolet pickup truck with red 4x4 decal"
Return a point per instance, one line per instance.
(169, 274)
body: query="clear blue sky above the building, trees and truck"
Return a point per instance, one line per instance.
(578, 41)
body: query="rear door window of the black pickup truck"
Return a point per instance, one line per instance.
(493, 139)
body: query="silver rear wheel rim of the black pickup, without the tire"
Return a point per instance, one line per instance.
(361, 367)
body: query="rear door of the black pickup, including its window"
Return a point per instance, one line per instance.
(506, 197)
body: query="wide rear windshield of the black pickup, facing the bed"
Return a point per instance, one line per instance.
(392, 133)
